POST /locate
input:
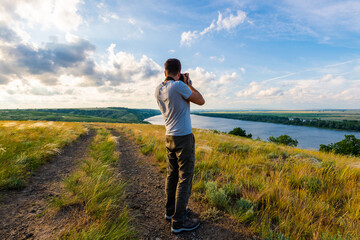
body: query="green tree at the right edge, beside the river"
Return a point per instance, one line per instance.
(348, 146)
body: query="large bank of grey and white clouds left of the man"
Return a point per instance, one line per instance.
(66, 74)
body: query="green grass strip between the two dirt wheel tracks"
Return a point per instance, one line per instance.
(96, 187)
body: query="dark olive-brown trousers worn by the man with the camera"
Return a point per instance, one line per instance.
(181, 155)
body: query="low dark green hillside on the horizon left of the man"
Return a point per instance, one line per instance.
(111, 114)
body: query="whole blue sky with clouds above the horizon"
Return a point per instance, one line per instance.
(248, 54)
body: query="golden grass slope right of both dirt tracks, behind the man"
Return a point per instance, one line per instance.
(280, 192)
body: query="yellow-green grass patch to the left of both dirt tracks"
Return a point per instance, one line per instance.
(26, 145)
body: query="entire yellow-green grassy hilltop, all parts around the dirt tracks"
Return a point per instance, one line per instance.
(278, 191)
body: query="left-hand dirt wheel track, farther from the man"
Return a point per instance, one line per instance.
(23, 212)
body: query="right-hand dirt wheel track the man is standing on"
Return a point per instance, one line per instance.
(145, 198)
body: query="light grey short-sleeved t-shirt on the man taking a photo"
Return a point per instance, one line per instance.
(171, 97)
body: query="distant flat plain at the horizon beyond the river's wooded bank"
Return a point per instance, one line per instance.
(318, 114)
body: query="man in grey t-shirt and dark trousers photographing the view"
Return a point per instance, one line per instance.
(173, 97)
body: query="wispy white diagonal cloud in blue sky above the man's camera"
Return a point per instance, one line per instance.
(222, 23)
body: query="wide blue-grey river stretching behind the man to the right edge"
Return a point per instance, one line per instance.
(308, 137)
